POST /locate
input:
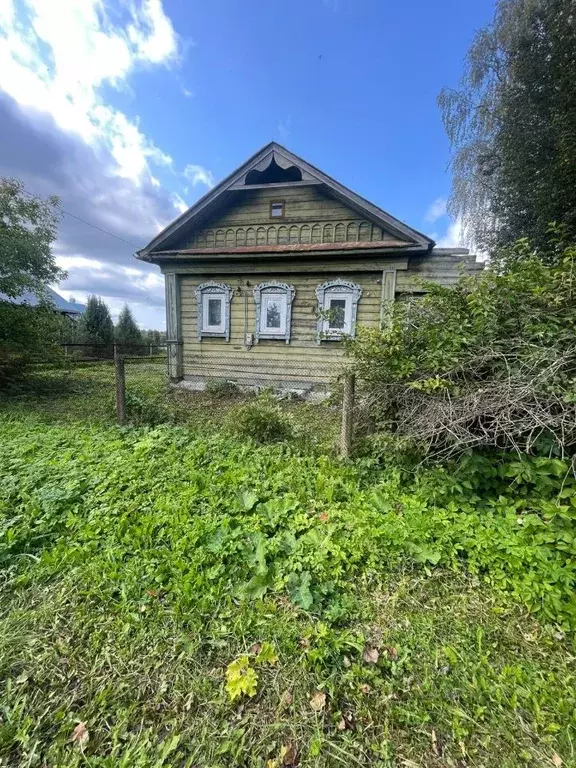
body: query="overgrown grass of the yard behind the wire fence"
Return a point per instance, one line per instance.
(85, 393)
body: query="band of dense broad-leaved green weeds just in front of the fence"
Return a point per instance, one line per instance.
(279, 521)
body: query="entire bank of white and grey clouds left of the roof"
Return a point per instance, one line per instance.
(62, 133)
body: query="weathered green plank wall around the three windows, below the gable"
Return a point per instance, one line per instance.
(382, 278)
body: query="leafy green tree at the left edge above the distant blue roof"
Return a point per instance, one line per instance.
(28, 227)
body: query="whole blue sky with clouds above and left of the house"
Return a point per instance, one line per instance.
(132, 110)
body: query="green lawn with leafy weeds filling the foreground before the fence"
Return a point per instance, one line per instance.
(374, 623)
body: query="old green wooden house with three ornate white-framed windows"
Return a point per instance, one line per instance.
(269, 271)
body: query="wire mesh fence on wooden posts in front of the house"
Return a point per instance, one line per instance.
(135, 384)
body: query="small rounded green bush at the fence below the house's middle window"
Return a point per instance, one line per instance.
(261, 420)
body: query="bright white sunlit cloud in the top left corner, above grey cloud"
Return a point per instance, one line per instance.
(58, 62)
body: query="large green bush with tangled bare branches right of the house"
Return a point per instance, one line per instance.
(490, 362)
